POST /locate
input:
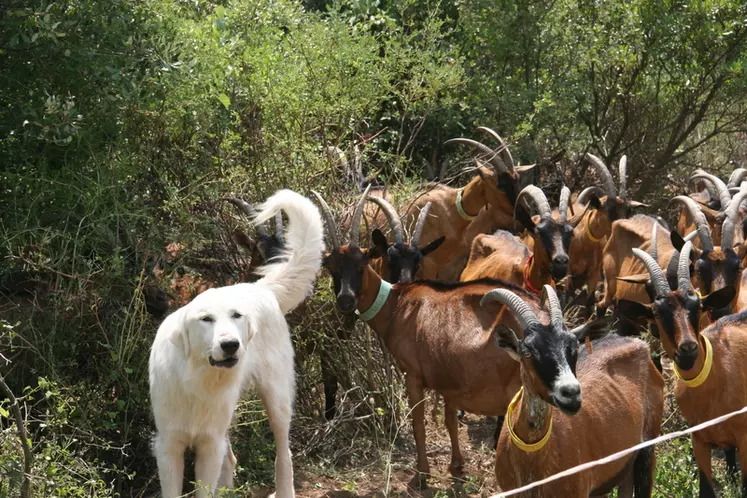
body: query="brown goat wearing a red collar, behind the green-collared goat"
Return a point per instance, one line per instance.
(500, 256)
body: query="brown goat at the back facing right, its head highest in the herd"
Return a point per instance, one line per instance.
(494, 188)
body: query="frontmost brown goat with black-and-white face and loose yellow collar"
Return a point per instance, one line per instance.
(550, 429)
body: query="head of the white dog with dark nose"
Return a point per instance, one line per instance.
(214, 327)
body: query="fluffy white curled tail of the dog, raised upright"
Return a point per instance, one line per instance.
(291, 277)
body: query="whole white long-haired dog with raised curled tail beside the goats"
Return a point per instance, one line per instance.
(205, 352)
